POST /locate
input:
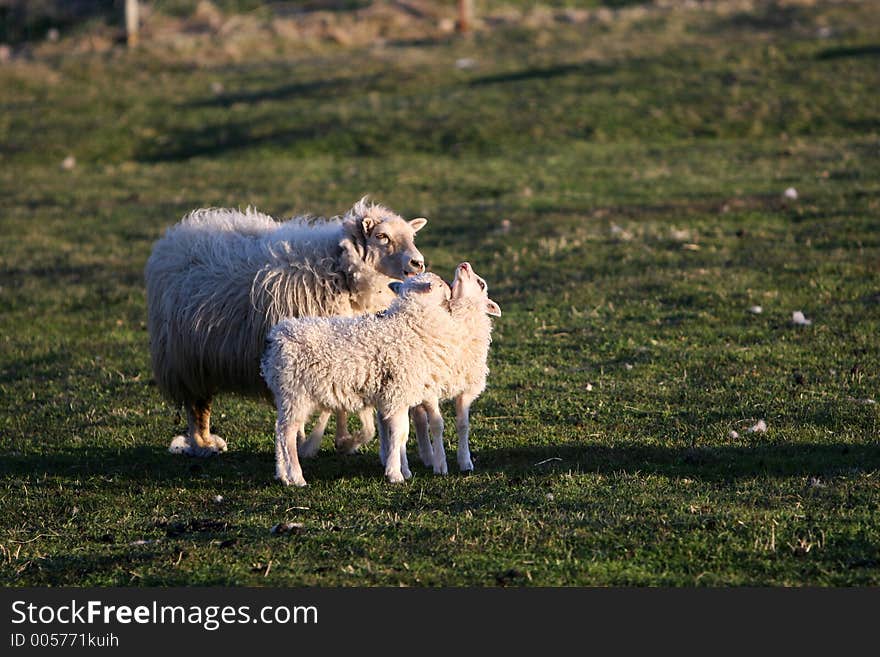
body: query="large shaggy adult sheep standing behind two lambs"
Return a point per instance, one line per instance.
(218, 280)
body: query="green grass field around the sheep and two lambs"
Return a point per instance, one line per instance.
(619, 183)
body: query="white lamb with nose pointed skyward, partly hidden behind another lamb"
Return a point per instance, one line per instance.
(465, 380)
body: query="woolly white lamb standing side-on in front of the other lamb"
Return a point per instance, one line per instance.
(387, 361)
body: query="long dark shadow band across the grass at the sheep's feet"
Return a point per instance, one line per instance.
(145, 465)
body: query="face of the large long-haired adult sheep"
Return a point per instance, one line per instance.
(390, 243)
